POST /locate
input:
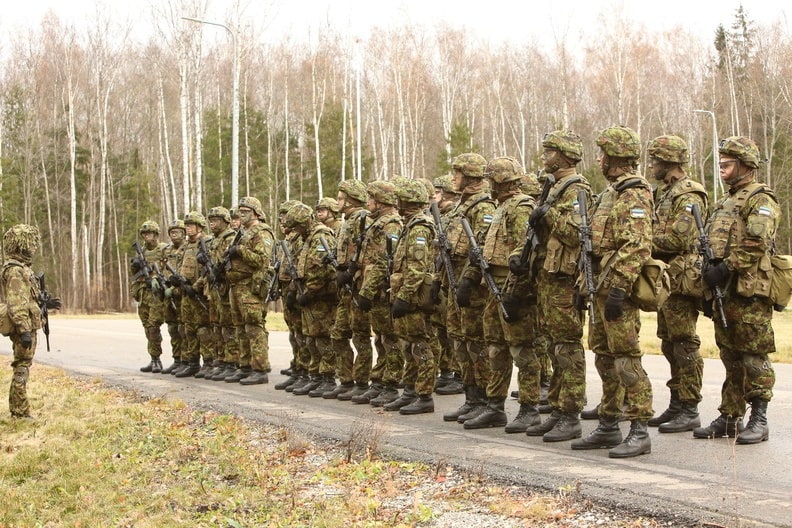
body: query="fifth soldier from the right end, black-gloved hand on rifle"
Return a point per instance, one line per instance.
(508, 342)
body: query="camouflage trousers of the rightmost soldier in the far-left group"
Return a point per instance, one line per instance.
(249, 314)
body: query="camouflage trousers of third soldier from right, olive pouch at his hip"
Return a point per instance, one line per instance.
(618, 362)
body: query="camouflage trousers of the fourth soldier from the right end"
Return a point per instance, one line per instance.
(563, 324)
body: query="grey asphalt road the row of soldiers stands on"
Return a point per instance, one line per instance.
(688, 482)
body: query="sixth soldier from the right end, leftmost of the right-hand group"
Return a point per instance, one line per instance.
(463, 311)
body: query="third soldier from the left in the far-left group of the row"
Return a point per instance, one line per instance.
(194, 309)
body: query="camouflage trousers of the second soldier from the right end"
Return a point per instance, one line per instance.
(676, 328)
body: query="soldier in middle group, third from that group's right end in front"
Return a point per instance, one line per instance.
(350, 323)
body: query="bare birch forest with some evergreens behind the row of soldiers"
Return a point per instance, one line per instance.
(100, 131)
